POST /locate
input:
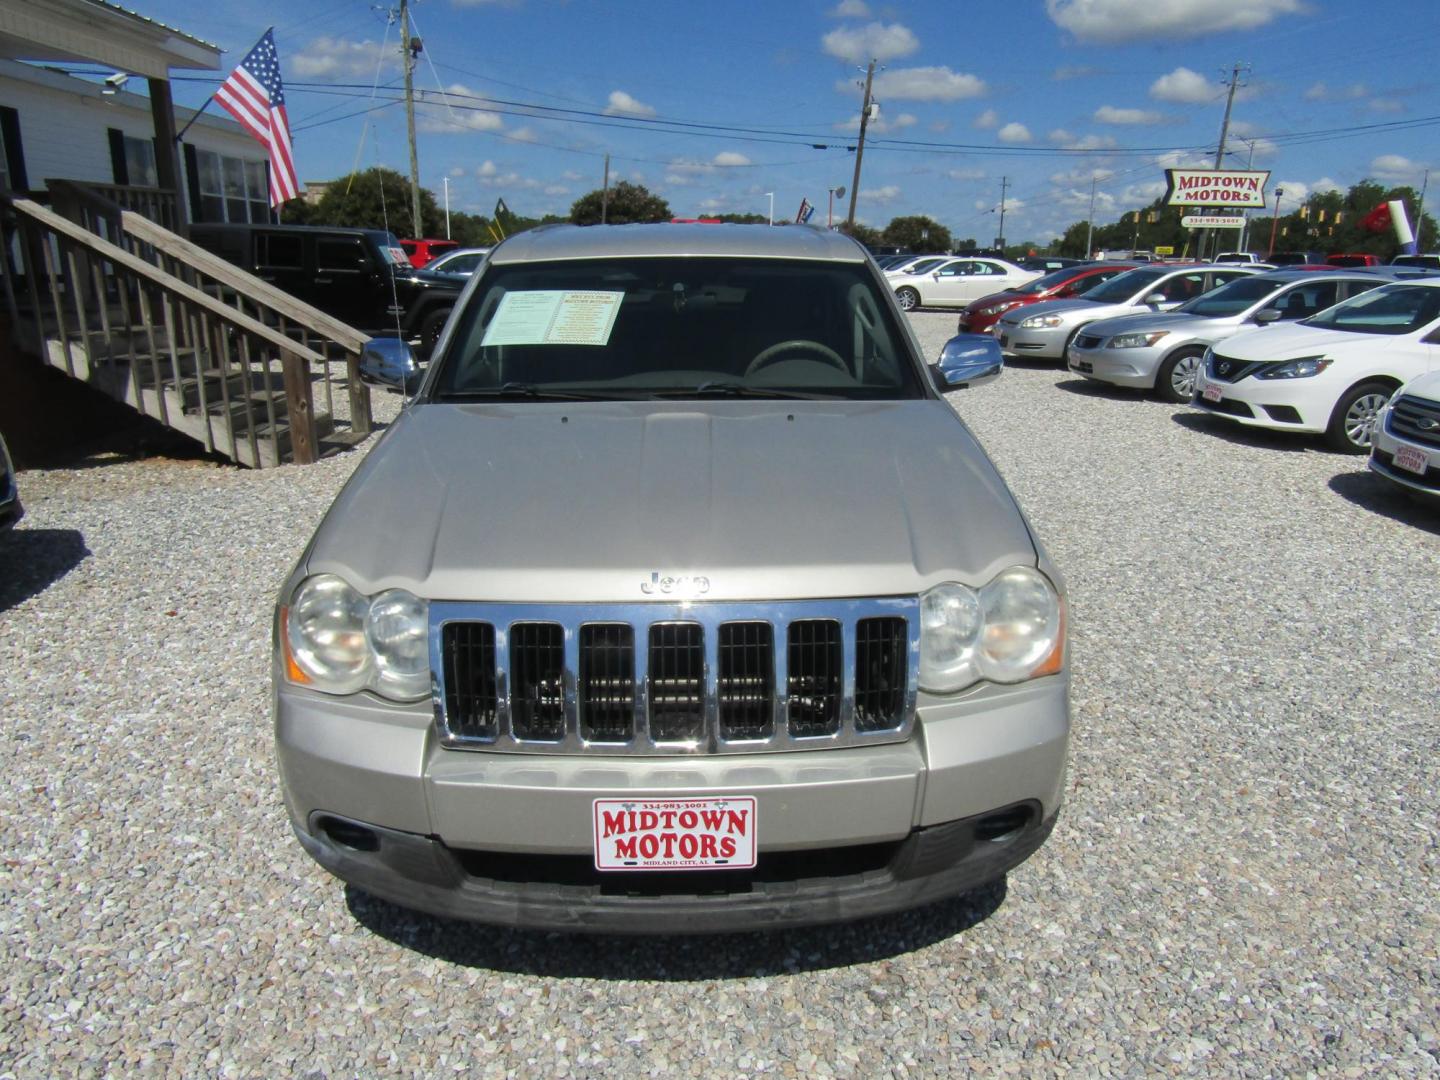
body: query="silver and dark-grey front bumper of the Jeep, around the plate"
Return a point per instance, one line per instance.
(852, 824)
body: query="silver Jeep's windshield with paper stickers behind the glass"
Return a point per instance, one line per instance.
(678, 328)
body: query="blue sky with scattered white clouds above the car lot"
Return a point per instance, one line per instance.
(1046, 94)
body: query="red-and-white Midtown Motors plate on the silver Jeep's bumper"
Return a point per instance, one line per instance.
(676, 834)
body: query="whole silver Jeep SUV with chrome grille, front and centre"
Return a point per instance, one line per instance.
(679, 600)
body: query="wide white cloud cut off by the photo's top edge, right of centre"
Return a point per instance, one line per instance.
(1133, 21)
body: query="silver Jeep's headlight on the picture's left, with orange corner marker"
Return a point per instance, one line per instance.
(339, 642)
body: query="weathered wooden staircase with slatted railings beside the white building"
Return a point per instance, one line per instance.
(146, 318)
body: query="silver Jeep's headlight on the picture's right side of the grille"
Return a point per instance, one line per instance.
(1009, 631)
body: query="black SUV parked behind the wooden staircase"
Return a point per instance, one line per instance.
(362, 277)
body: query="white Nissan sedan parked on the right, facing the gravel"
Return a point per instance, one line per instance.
(1331, 374)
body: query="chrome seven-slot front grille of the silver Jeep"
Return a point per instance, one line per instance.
(662, 679)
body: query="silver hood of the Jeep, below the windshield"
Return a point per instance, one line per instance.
(585, 502)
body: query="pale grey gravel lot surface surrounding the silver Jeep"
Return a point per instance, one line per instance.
(1243, 881)
